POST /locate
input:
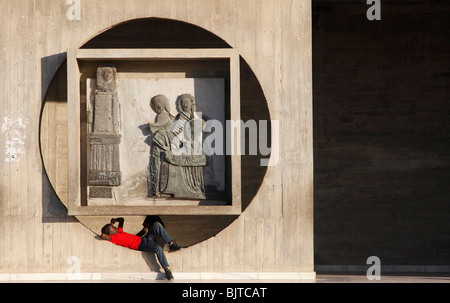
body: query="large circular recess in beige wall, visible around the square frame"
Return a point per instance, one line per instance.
(149, 33)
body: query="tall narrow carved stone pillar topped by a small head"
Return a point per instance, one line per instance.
(104, 136)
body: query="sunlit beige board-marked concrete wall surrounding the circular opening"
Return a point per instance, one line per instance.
(273, 234)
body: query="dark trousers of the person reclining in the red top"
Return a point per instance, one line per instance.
(149, 244)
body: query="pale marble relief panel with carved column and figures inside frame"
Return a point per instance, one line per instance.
(151, 149)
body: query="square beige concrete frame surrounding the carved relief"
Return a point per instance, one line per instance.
(176, 207)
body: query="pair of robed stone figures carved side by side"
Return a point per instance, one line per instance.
(177, 159)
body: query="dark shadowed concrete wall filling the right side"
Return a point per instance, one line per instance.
(381, 133)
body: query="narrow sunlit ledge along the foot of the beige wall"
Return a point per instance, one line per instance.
(179, 276)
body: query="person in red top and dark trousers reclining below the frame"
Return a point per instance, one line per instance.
(143, 241)
